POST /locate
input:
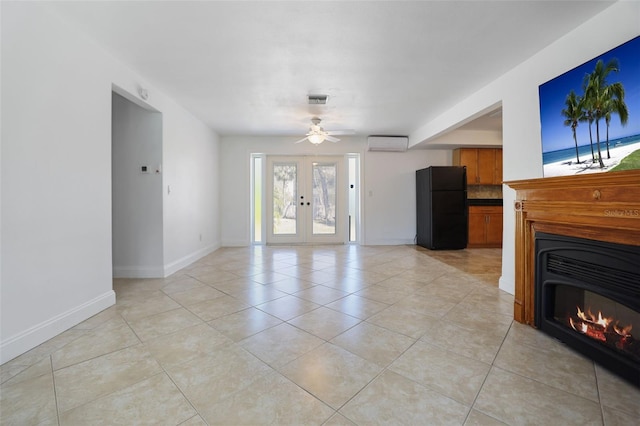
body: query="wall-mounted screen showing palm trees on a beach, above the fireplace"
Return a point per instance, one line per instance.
(590, 115)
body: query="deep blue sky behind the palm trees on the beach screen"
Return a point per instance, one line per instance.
(555, 135)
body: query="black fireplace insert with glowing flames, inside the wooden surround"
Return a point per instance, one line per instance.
(587, 294)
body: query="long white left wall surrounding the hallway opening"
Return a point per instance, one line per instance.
(56, 177)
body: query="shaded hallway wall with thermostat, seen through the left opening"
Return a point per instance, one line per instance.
(136, 135)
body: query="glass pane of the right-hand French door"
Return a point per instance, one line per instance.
(324, 198)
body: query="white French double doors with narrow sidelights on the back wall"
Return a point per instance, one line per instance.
(304, 199)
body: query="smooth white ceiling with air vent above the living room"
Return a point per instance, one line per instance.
(389, 67)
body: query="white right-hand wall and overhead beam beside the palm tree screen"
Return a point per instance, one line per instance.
(518, 92)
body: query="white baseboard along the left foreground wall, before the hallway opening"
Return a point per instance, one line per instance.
(40, 333)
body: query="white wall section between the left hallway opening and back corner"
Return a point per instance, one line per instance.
(191, 188)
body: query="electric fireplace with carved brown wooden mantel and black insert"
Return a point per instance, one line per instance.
(584, 231)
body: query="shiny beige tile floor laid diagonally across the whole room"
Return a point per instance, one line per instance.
(343, 335)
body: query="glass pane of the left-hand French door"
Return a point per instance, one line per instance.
(285, 177)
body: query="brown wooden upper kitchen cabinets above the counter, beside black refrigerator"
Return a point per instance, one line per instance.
(484, 165)
